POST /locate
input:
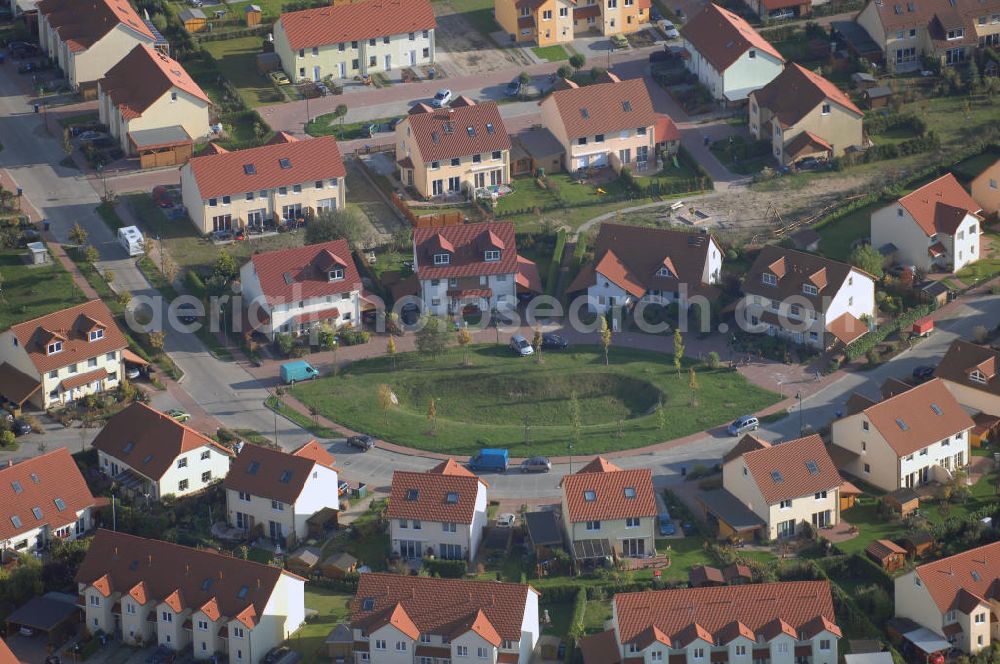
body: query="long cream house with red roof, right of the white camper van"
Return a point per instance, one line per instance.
(274, 183)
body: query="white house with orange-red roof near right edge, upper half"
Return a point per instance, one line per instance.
(936, 226)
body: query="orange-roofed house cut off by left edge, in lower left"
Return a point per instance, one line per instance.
(44, 499)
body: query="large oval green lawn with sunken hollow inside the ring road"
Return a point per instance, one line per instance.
(486, 404)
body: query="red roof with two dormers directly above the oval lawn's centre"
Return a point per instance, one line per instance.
(466, 244)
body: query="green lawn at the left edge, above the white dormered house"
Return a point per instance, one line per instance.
(29, 291)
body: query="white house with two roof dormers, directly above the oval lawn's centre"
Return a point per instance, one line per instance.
(470, 265)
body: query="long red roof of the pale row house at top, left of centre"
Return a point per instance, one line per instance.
(356, 21)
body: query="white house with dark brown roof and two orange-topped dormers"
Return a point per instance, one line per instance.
(806, 298)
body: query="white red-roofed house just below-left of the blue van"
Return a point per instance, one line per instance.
(441, 512)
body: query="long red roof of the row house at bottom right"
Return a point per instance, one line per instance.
(725, 610)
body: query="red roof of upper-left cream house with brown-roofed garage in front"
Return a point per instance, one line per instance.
(144, 76)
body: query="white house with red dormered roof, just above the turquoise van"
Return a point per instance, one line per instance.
(295, 290)
